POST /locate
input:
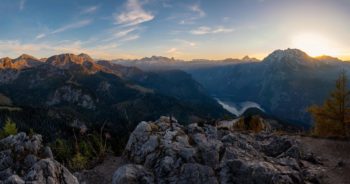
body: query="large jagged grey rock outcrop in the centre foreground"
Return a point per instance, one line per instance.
(166, 152)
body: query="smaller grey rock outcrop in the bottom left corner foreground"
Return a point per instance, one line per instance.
(24, 159)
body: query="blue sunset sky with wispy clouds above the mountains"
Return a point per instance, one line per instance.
(184, 29)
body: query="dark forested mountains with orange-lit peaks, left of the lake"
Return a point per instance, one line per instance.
(67, 91)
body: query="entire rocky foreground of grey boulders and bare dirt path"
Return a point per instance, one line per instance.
(167, 152)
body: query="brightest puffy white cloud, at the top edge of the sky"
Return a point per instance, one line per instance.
(133, 15)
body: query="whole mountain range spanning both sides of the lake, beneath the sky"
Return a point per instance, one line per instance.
(77, 88)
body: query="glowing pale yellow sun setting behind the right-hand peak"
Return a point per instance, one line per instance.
(313, 44)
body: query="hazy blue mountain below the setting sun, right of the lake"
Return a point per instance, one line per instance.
(285, 83)
